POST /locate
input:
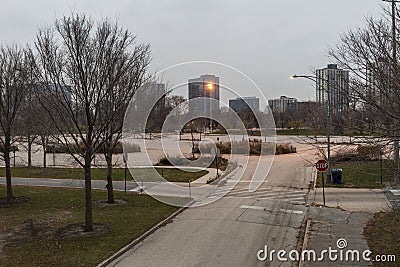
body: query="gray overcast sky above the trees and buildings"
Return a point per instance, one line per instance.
(267, 40)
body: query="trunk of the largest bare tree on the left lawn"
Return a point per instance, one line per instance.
(88, 193)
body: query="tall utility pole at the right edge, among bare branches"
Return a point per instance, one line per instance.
(394, 56)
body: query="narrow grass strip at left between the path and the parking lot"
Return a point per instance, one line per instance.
(172, 175)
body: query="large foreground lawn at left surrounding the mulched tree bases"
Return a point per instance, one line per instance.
(48, 209)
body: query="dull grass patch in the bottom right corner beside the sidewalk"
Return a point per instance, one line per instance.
(383, 235)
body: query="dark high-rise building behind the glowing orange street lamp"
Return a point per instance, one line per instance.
(207, 87)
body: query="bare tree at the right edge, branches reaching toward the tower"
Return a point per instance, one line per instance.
(375, 81)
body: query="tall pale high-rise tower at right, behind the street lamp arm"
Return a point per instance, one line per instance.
(336, 81)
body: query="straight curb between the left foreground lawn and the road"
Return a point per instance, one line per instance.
(123, 250)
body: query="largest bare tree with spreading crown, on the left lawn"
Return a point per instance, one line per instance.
(80, 64)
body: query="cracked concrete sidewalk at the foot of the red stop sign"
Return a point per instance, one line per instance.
(346, 213)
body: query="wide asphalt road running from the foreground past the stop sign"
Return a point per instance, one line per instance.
(232, 230)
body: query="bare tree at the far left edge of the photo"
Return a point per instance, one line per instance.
(13, 77)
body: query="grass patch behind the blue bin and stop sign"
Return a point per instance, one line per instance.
(361, 174)
